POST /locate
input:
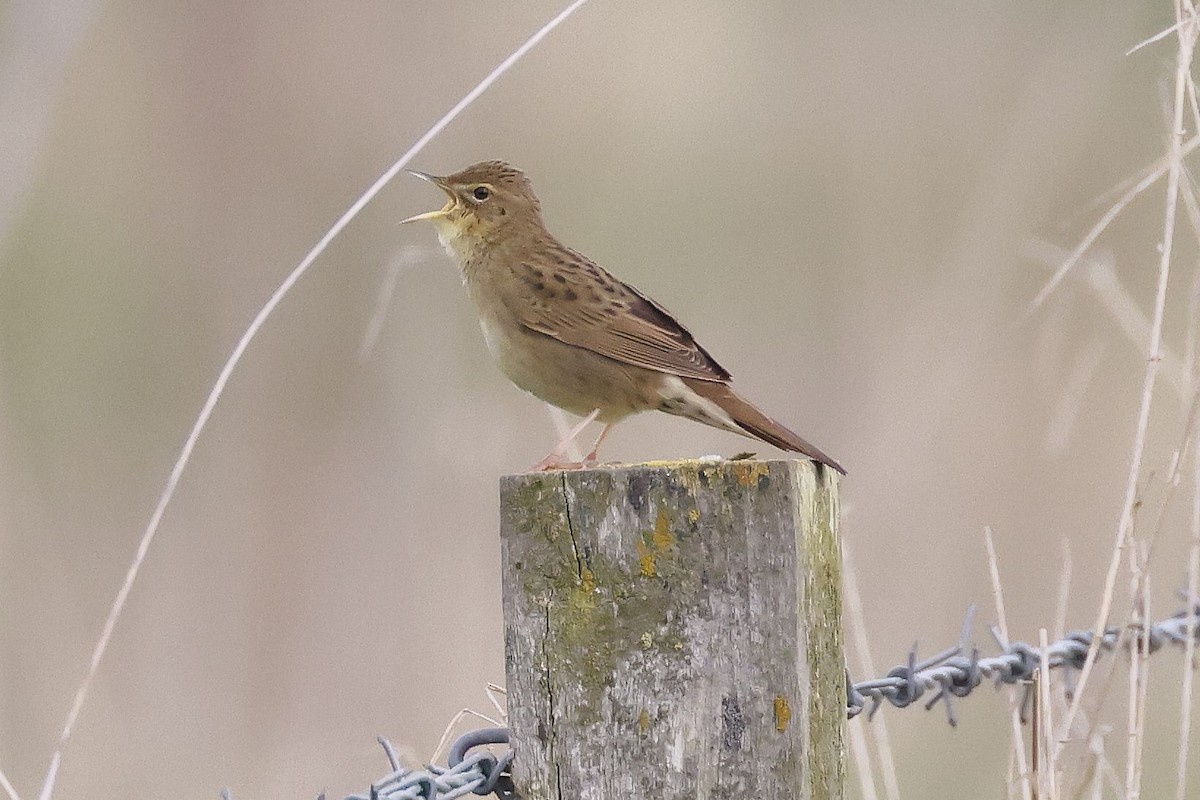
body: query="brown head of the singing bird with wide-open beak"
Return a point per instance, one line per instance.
(487, 202)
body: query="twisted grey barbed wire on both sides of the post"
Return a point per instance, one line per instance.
(951, 673)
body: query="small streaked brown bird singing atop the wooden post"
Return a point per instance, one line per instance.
(566, 330)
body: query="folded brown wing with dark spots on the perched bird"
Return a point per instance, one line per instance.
(579, 303)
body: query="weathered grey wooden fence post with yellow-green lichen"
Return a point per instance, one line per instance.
(674, 631)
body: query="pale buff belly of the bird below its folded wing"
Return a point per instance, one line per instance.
(572, 378)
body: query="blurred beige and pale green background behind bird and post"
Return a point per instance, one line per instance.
(853, 207)
